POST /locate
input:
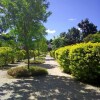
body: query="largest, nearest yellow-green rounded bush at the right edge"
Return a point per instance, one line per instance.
(85, 61)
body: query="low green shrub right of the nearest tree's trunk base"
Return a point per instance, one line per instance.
(37, 71)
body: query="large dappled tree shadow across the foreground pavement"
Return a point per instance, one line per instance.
(47, 88)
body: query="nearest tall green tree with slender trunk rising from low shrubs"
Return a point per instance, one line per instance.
(26, 17)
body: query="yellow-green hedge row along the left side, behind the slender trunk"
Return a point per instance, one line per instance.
(9, 55)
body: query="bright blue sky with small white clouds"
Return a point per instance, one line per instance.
(68, 13)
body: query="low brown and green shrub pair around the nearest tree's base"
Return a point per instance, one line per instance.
(24, 72)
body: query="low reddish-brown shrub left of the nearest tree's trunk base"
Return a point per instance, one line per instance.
(18, 72)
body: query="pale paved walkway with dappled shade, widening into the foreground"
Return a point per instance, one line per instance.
(55, 86)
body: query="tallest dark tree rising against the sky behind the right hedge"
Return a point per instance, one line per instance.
(87, 27)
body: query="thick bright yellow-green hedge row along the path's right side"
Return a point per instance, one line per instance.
(81, 60)
